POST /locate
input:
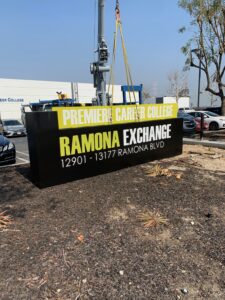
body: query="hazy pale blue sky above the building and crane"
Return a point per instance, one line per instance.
(54, 40)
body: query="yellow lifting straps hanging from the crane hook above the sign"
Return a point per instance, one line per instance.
(127, 67)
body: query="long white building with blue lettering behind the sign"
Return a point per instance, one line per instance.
(16, 92)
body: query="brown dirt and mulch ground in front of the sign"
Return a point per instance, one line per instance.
(85, 239)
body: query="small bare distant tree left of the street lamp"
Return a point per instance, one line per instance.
(178, 84)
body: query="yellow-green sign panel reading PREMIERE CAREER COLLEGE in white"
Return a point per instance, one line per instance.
(108, 115)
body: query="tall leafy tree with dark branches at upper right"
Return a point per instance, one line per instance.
(206, 49)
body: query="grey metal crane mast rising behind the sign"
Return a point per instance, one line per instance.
(99, 68)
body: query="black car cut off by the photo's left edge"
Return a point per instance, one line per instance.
(7, 151)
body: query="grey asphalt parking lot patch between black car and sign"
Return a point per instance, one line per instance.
(22, 153)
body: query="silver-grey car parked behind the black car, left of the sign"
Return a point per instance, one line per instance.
(13, 127)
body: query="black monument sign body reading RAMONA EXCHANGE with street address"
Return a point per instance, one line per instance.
(58, 156)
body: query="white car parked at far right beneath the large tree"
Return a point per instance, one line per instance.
(215, 121)
